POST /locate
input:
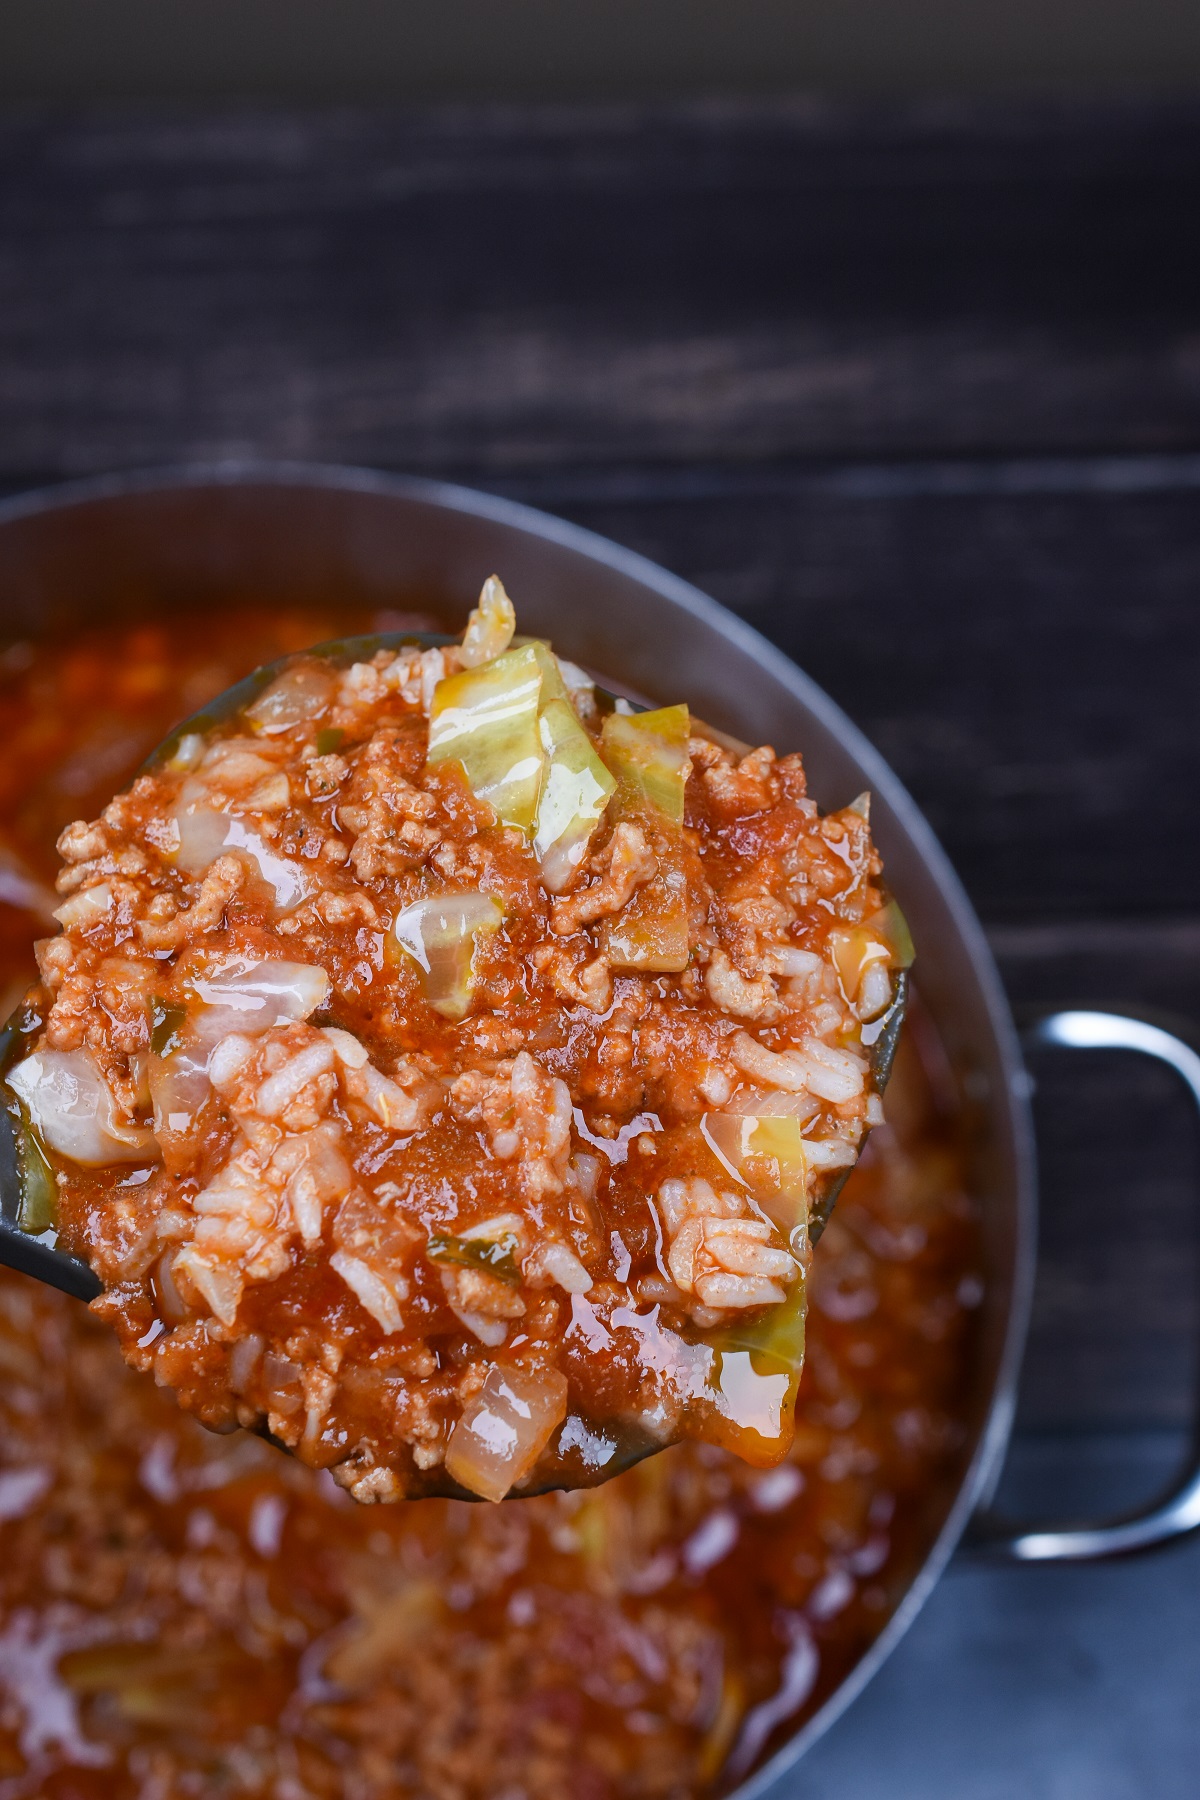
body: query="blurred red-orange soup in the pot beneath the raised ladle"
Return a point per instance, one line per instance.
(186, 1614)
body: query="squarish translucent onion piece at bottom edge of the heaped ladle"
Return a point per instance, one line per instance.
(505, 1428)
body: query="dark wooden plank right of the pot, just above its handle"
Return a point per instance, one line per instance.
(1026, 656)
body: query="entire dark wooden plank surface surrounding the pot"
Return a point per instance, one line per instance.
(918, 395)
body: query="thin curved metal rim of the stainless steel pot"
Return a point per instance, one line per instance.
(1014, 1101)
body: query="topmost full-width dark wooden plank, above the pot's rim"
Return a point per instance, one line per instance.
(497, 291)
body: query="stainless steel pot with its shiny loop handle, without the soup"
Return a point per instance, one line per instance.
(206, 537)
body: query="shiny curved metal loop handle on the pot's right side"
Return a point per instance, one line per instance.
(1178, 1511)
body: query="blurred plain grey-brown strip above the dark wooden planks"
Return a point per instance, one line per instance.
(613, 49)
